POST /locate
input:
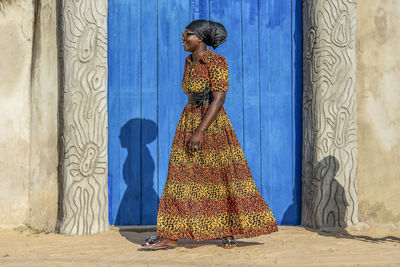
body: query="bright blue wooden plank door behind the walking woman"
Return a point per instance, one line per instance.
(145, 99)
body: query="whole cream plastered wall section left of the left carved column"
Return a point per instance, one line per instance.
(28, 121)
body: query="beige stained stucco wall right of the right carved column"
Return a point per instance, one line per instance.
(378, 89)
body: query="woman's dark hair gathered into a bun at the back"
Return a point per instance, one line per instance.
(211, 33)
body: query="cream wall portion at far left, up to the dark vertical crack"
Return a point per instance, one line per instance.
(15, 67)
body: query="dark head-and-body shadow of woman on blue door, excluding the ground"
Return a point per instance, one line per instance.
(138, 170)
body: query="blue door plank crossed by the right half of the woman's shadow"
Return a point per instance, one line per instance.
(149, 179)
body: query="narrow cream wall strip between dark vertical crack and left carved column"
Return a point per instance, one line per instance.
(44, 105)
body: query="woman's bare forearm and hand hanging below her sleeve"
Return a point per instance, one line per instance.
(209, 117)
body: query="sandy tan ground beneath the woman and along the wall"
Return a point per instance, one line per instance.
(290, 246)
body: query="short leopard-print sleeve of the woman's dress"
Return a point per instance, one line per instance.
(219, 74)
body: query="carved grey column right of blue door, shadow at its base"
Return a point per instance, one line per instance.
(329, 114)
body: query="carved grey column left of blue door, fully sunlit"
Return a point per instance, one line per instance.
(83, 193)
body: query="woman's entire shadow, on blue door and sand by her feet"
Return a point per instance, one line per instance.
(140, 200)
